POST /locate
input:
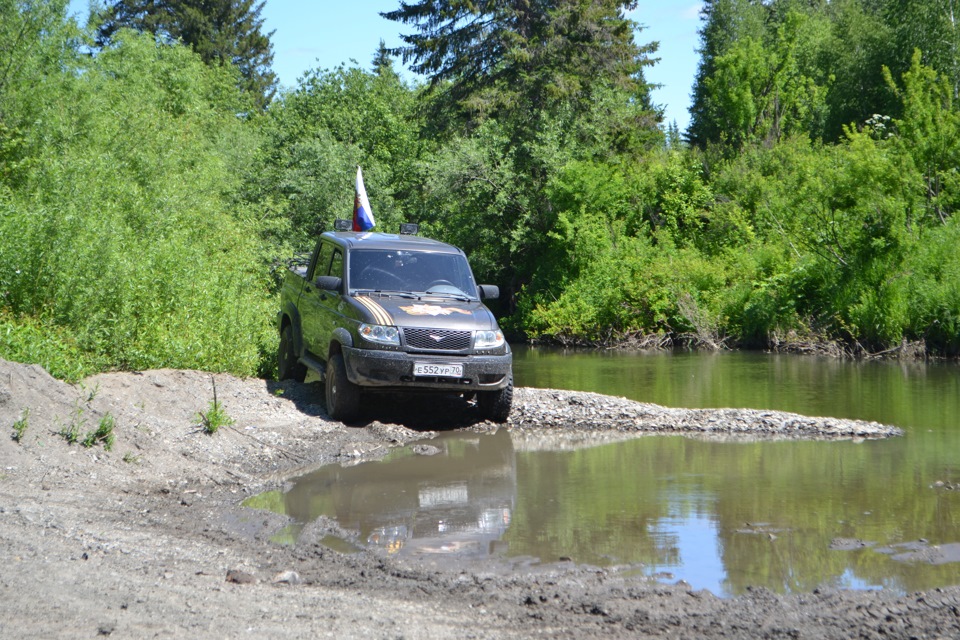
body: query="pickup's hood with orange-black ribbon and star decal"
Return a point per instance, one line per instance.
(438, 313)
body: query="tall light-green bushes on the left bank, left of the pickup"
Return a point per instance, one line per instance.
(121, 237)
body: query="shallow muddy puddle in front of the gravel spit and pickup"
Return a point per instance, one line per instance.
(789, 516)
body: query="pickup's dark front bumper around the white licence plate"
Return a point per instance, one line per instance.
(394, 369)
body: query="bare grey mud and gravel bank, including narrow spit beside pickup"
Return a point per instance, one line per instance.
(148, 538)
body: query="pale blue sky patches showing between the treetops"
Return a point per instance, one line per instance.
(311, 35)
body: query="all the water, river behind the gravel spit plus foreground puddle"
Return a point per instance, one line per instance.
(789, 516)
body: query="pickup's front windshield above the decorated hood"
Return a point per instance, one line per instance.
(414, 271)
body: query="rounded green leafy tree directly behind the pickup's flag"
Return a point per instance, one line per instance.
(319, 133)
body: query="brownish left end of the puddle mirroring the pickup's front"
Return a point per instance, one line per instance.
(457, 501)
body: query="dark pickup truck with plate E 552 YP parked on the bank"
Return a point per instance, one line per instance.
(375, 312)
